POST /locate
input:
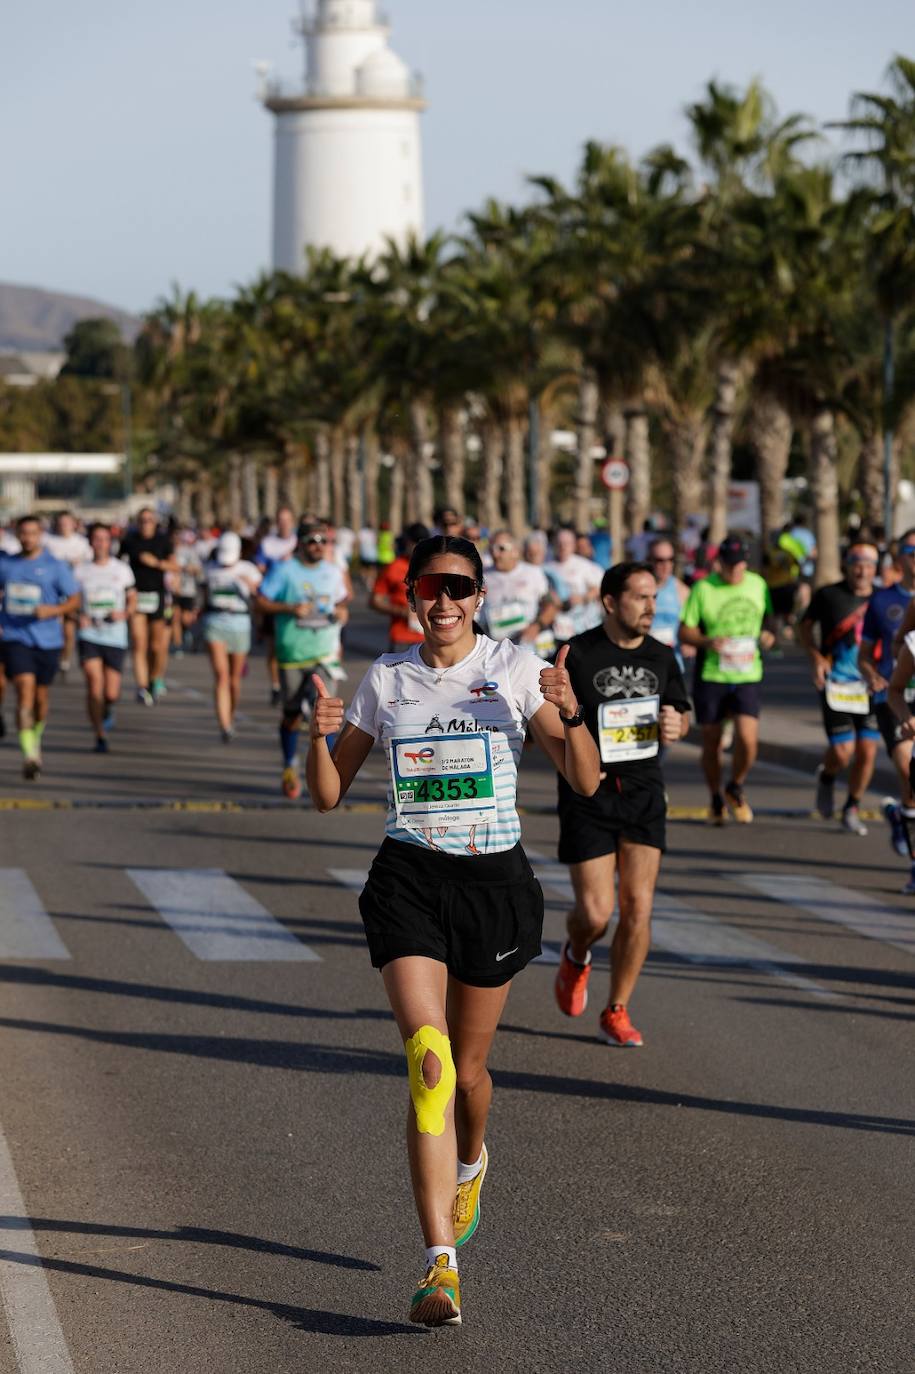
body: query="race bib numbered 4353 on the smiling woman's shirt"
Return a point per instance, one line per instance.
(443, 781)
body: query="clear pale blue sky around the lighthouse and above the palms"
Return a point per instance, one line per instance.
(135, 156)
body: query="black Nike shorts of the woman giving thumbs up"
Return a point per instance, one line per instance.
(482, 916)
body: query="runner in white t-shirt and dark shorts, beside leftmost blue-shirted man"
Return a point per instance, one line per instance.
(108, 592)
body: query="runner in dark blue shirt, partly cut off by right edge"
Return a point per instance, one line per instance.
(877, 657)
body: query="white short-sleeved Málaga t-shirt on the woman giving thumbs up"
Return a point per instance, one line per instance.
(454, 740)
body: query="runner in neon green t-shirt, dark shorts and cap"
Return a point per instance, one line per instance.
(729, 620)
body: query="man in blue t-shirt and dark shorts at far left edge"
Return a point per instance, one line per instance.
(38, 593)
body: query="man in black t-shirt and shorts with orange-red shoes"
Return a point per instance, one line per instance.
(634, 701)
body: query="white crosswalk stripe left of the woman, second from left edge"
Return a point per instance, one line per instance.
(216, 919)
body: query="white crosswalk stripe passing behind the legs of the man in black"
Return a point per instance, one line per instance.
(694, 936)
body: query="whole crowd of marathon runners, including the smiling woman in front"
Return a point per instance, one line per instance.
(491, 642)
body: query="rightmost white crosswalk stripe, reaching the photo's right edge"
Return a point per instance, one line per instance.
(858, 912)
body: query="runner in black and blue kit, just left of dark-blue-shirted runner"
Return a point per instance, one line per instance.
(831, 633)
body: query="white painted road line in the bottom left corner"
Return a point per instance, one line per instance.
(32, 1318)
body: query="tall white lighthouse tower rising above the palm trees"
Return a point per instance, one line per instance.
(348, 164)
